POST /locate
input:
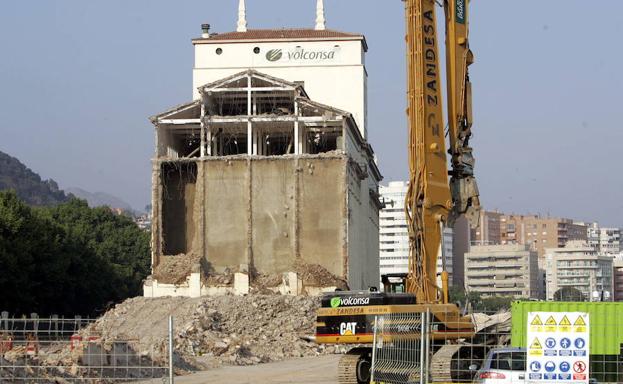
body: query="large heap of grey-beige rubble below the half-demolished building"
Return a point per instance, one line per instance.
(219, 330)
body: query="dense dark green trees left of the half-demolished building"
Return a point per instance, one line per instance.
(68, 259)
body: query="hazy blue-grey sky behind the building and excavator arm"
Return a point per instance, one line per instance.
(78, 80)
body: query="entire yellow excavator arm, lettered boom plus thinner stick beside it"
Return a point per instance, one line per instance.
(432, 202)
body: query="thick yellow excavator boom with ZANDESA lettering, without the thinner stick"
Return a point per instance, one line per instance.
(428, 200)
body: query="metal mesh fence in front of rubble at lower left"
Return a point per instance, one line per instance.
(52, 350)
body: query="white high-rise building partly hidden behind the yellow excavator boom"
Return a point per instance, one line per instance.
(394, 237)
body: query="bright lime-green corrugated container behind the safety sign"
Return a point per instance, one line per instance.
(605, 320)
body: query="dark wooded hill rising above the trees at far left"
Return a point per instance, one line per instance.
(27, 184)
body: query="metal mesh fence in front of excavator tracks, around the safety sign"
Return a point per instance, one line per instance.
(414, 348)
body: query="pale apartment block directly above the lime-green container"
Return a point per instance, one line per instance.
(578, 265)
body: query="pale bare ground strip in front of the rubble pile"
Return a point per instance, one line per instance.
(317, 370)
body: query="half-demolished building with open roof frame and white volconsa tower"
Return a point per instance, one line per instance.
(256, 181)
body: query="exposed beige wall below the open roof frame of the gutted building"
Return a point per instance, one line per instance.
(265, 212)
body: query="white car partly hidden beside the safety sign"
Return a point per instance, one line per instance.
(503, 366)
